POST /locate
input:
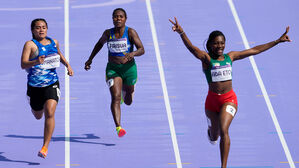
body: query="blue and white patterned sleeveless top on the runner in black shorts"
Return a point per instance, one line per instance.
(43, 75)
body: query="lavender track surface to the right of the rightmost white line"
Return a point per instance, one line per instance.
(277, 67)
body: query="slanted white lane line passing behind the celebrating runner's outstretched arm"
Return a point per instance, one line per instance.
(262, 86)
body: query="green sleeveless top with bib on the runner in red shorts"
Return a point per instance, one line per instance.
(219, 70)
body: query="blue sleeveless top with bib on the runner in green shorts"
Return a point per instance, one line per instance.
(119, 47)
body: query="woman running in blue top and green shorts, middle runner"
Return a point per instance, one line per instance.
(121, 71)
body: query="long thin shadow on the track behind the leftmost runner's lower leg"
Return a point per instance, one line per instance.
(76, 139)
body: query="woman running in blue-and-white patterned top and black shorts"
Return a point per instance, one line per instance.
(41, 56)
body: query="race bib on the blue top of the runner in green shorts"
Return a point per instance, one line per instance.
(118, 45)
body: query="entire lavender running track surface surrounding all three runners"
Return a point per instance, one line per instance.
(254, 141)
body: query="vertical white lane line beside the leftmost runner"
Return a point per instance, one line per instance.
(67, 85)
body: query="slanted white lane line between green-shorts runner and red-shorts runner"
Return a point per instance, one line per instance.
(164, 87)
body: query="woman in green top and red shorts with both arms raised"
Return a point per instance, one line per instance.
(221, 103)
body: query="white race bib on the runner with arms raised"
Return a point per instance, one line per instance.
(221, 73)
